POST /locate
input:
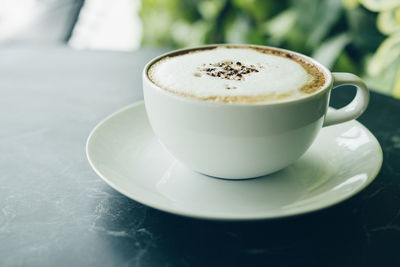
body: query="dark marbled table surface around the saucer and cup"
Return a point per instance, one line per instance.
(55, 211)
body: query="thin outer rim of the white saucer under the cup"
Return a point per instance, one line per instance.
(215, 217)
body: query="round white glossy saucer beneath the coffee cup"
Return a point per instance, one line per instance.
(125, 154)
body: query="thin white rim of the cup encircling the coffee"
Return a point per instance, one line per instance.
(326, 87)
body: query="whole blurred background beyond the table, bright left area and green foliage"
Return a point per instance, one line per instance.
(358, 36)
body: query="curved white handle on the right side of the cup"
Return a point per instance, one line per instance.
(356, 107)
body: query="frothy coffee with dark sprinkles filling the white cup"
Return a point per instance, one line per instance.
(237, 74)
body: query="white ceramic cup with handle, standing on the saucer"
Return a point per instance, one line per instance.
(237, 141)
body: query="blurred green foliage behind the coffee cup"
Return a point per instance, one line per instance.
(358, 36)
